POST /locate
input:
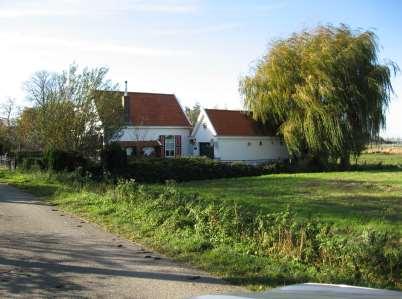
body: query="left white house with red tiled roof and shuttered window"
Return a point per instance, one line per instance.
(156, 126)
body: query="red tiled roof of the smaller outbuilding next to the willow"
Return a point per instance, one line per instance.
(236, 123)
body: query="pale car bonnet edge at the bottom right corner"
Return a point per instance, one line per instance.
(315, 291)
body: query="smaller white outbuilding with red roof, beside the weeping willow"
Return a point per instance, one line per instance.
(230, 135)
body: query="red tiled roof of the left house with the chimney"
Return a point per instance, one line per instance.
(153, 109)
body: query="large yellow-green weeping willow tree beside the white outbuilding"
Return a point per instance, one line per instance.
(325, 90)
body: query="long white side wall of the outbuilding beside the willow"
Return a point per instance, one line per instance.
(253, 149)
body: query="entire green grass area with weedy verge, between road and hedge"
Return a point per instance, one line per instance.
(198, 222)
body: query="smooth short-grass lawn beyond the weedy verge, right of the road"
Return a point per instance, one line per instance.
(347, 198)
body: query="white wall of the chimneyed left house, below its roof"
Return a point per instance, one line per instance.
(153, 133)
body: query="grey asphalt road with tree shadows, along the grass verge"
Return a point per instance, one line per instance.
(45, 252)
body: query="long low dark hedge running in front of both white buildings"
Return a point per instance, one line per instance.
(115, 164)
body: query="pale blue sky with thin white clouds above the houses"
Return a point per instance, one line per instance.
(196, 49)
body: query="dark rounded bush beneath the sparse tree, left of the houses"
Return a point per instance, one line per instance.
(58, 160)
